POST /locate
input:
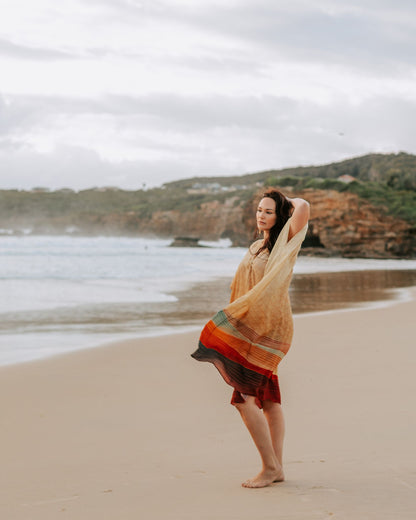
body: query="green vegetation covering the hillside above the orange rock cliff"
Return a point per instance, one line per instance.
(388, 181)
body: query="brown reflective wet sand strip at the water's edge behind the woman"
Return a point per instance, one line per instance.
(194, 305)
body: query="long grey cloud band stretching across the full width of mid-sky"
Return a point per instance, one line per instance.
(173, 112)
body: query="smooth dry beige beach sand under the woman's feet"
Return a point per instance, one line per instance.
(139, 430)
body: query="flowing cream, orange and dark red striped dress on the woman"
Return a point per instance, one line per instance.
(247, 340)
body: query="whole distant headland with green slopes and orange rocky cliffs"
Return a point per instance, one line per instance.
(360, 207)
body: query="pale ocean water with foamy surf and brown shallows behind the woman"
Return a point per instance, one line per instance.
(62, 293)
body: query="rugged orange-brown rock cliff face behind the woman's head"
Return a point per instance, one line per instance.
(341, 224)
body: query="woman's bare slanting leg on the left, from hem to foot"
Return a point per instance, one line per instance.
(258, 427)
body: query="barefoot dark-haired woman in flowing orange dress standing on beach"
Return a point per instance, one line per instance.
(247, 340)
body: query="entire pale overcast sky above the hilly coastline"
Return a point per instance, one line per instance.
(132, 92)
